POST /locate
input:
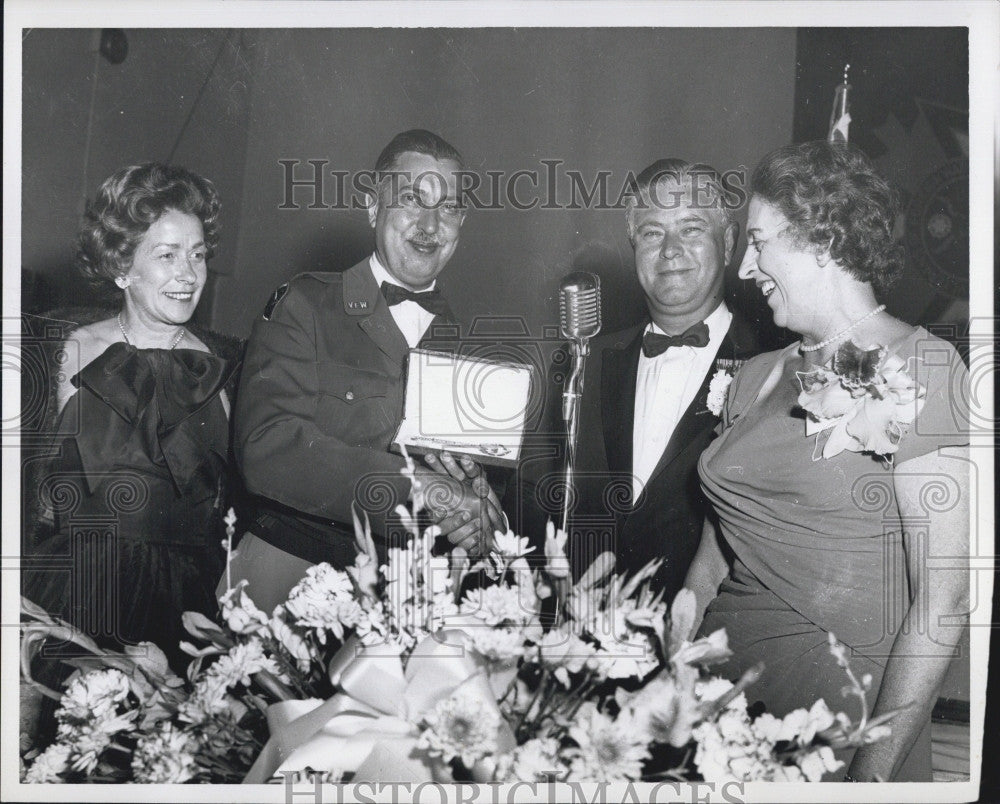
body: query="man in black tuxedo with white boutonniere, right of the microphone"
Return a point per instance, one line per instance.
(645, 415)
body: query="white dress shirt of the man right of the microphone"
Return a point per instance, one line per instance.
(665, 386)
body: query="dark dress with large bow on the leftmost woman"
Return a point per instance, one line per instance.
(135, 493)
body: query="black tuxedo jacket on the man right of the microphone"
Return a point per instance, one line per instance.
(666, 520)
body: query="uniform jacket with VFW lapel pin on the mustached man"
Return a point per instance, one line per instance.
(320, 399)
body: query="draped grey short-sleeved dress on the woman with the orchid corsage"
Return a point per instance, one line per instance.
(817, 543)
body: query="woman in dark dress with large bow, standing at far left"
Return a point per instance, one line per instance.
(133, 497)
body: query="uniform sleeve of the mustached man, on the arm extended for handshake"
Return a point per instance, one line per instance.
(282, 452)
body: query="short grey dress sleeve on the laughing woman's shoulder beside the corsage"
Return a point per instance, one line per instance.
(944, 419)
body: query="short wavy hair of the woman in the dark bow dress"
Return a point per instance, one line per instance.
(130, 201)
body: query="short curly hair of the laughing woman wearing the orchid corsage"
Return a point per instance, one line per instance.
(832, 196)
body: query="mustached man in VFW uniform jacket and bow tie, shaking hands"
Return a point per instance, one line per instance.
(321, 393)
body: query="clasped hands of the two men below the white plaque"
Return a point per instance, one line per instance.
(460, 502)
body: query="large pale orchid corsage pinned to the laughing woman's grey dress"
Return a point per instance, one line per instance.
(868, 399)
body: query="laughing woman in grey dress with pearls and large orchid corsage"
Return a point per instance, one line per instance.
(840, 470)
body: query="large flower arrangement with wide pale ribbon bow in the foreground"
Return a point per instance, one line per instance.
(431, 668)
